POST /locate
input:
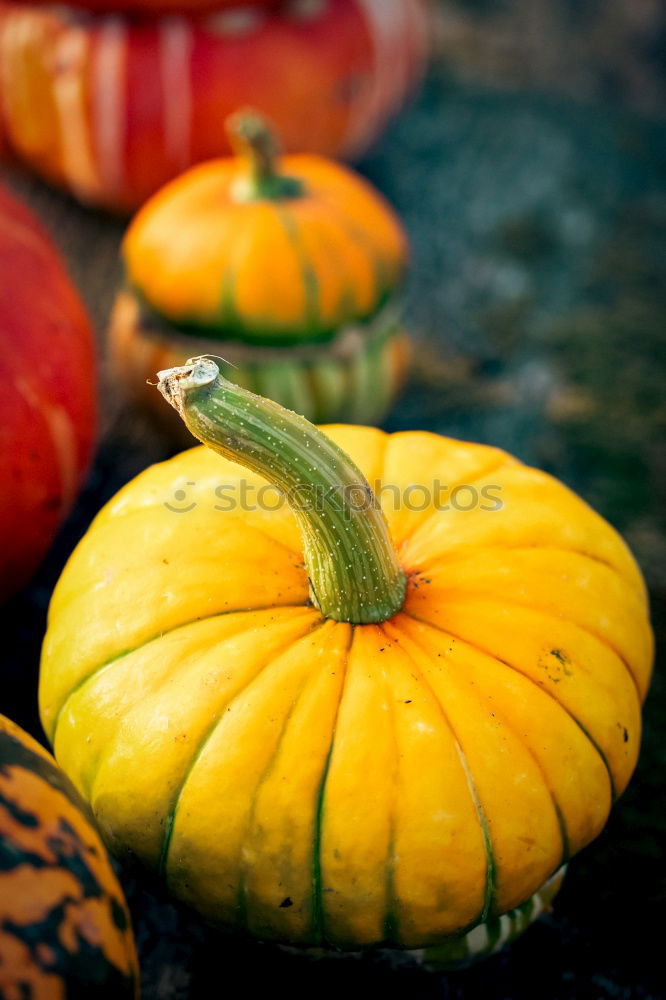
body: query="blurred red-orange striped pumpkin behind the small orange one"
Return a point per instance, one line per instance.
(111, 108)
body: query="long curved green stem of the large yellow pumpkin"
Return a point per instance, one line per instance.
(350, 559)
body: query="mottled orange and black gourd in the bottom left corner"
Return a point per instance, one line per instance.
(65, 930)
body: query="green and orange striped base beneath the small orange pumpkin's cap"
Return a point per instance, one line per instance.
(353, 378)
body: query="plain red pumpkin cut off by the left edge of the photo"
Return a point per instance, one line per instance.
(47, 405)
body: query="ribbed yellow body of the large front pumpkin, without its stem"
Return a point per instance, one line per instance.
(314, 781)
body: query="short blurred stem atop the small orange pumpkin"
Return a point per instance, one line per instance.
(256, 145)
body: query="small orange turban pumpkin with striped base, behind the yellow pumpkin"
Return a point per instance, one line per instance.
(288, 269)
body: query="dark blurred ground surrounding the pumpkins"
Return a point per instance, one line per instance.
(531, 174)
